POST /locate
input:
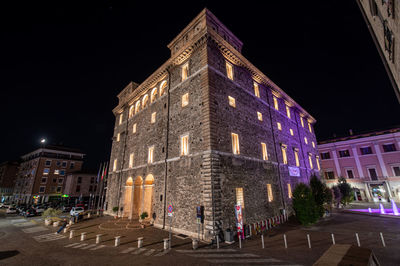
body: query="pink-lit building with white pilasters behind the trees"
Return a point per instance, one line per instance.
(370, 163)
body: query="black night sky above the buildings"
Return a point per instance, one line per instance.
(63, 64)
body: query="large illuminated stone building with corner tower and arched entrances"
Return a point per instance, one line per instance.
(207, 128)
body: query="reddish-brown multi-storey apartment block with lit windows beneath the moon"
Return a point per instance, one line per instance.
(42, 173)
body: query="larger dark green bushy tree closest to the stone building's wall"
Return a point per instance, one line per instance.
(304, 204)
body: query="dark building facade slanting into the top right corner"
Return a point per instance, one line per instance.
(383, 21)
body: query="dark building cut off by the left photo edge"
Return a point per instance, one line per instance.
(8, 175)
